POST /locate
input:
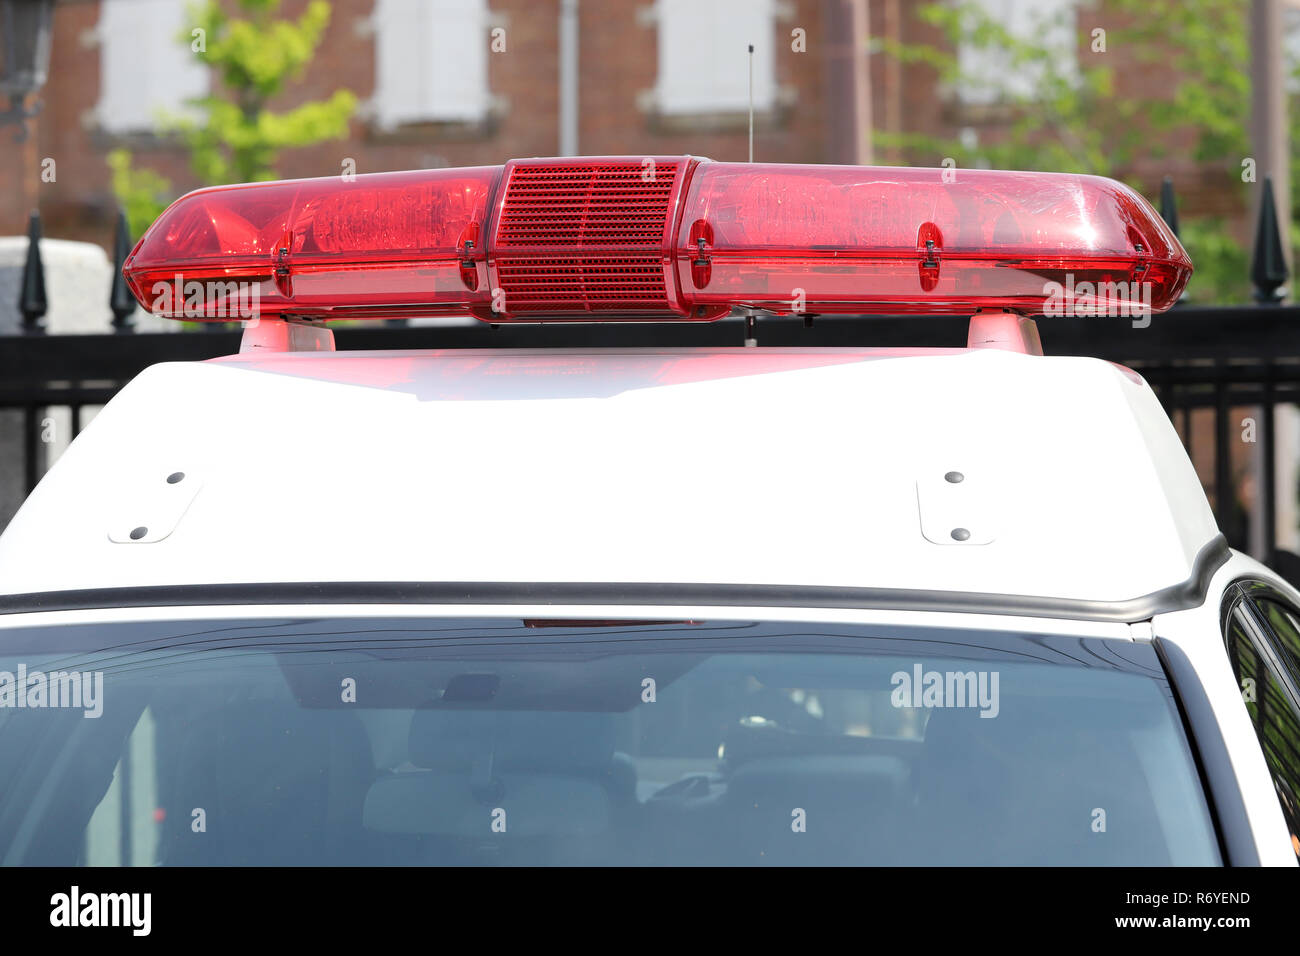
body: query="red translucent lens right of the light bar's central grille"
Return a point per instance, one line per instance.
(794, 239)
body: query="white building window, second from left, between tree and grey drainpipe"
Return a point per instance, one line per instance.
(431, 62)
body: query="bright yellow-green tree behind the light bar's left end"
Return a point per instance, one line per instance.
(235, 137)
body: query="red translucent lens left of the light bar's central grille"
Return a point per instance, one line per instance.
(378, 245)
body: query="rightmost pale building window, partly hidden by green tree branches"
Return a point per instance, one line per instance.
(993, 73)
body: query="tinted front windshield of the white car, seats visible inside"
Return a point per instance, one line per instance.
(419, 741)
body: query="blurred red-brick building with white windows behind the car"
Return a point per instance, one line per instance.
(460, 83)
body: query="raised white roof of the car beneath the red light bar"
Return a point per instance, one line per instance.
(801, 477)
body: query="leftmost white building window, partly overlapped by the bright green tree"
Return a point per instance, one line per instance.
(146, 67)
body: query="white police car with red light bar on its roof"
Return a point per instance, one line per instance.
(643, 607)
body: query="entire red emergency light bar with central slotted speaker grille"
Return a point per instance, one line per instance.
(669, 239)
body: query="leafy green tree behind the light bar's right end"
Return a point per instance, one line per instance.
(1074, 120)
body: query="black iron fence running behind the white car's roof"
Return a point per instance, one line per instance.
(1212, 369)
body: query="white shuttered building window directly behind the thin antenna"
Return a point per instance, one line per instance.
(704, 55)
